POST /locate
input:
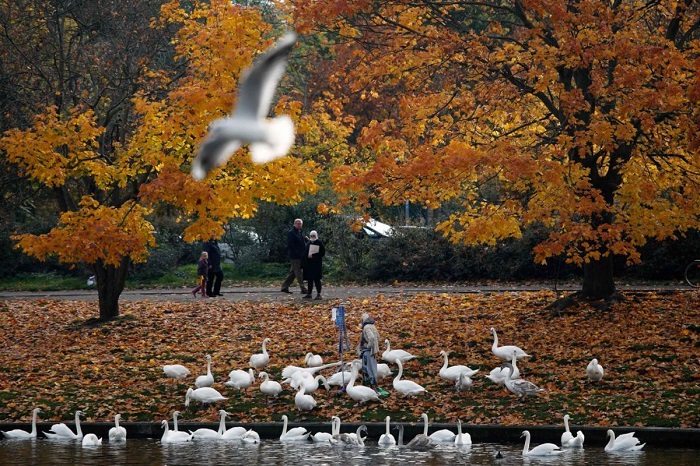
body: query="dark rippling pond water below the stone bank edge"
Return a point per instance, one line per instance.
(151, 452)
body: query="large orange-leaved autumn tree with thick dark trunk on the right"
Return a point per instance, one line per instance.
(581, 116)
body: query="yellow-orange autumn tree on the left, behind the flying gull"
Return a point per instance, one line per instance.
(121, 95)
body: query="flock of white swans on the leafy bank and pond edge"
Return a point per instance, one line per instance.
(306, 380)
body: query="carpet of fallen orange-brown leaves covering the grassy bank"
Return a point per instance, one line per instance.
(648, 344)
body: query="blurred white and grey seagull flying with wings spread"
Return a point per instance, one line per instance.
(247, 124)
